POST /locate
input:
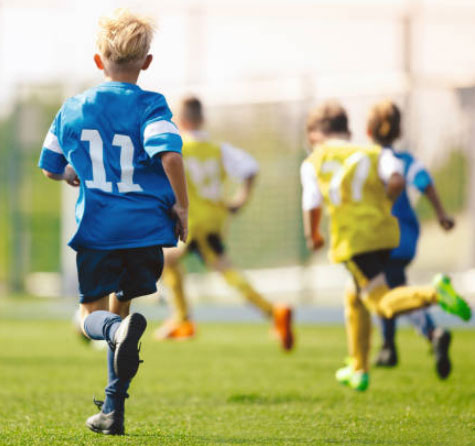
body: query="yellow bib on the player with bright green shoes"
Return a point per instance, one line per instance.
(360, 212)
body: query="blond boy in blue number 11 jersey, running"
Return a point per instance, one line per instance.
(118, 144)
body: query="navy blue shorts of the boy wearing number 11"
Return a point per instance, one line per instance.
(129, 273)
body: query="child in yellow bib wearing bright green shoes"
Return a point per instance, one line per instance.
(358, 184)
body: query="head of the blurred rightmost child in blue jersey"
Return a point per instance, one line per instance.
(384, 122)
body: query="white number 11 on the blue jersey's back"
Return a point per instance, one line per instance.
(96, 152)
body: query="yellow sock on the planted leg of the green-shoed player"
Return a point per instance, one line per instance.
(358, 330)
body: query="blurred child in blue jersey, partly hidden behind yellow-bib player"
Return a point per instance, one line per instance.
(384, 127)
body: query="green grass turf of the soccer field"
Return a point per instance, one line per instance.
(232, 386)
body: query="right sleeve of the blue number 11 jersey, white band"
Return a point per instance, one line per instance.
(159, 133)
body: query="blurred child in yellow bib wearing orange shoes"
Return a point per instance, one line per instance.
(207, 166)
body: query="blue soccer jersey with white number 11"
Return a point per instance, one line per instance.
(111, 135)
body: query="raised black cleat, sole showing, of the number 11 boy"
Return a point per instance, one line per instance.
(126, 354)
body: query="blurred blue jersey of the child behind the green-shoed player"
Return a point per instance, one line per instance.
(418, 177)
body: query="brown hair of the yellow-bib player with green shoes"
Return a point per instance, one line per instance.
(329, 117)
